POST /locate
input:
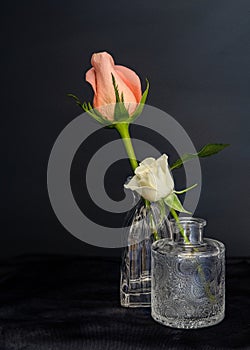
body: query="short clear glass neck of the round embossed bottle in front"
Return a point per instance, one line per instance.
(188, 230)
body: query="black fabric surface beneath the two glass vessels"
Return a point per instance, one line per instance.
(67, 303)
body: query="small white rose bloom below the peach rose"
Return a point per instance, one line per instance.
(152, 180)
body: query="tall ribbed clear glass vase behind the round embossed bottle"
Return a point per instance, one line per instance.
(145, 223)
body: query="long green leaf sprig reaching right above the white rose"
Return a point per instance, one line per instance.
(206, 151)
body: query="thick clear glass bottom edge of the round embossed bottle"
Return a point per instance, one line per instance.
(188, 323)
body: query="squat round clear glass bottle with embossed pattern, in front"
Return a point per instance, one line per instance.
(188, 277)
